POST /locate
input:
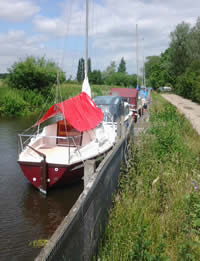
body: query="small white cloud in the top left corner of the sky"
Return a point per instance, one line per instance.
(17, 10)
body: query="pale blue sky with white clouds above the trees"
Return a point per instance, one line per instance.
(56, 29)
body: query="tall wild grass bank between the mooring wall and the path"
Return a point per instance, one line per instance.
(156, 213)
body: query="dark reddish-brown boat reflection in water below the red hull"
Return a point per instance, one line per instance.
(47, 212)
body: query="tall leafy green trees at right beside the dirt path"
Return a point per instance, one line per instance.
(179, 65)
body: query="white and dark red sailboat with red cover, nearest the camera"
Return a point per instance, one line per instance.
(55, 154)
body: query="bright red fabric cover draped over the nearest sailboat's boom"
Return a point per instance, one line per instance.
(80, 111)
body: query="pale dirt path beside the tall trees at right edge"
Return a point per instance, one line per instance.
(190, 109)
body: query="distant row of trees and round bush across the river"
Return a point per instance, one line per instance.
(39, 74)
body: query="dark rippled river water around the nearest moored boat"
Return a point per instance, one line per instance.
(25, 214)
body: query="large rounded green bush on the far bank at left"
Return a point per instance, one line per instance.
(34, 74)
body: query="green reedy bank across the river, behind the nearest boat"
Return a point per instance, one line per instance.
(16, 103)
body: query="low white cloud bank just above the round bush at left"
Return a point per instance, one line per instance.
(17, 45)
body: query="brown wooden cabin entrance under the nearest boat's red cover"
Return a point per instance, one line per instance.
(72, 136)
